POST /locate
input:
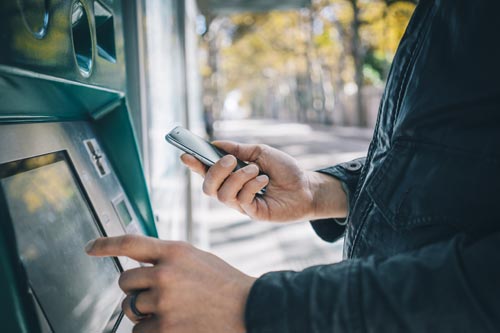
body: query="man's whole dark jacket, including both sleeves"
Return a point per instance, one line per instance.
(422, 236)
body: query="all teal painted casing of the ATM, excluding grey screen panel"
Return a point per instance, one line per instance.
(40, 82)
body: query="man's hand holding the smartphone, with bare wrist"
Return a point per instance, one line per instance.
(292, 193)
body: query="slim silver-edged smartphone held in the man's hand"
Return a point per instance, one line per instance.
(199, 148)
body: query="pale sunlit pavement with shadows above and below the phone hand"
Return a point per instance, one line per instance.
(259, 247)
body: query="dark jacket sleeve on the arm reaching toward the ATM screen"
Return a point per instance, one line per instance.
(446, 287)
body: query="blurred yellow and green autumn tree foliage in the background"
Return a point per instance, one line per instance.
(262, 53)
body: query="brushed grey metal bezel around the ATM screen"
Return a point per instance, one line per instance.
(21, 141)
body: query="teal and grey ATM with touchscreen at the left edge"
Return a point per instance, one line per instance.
(70, 169)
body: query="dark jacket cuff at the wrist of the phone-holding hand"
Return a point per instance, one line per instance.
(348, 173)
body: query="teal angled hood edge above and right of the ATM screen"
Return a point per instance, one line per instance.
(52, 99)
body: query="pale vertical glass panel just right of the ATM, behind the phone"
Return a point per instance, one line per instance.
(166, 108)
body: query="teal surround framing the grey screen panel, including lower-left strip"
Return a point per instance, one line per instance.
(33, 99)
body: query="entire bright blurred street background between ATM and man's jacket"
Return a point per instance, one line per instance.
(304, 76)
